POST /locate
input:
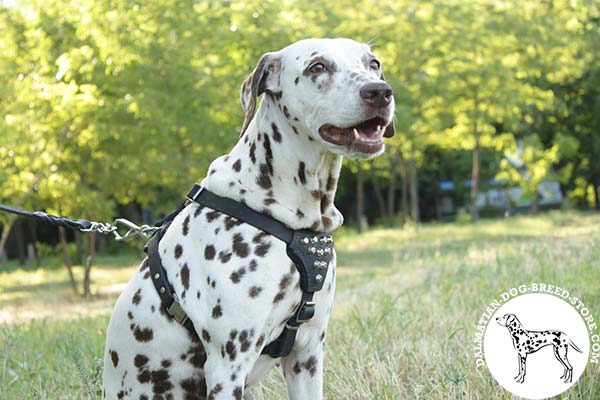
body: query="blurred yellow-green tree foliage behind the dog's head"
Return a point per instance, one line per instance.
(104, 104)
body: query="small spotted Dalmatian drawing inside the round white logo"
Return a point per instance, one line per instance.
(528, 342)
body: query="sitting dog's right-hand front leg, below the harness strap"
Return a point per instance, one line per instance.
(303, 371)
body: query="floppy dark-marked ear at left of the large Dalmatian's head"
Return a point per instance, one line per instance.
(261, 80)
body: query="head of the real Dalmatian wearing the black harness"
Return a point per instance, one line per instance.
(332, 90)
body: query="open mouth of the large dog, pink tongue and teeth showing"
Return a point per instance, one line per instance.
(364, 137)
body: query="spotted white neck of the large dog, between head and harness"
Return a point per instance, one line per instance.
(277, 170)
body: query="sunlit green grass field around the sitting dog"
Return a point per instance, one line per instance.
(402, 326)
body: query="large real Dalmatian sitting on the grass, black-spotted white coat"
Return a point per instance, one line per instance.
(322, 99)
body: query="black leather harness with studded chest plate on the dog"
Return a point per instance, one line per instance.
(310, 251)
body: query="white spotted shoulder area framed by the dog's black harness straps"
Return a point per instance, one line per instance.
(228, 275)
